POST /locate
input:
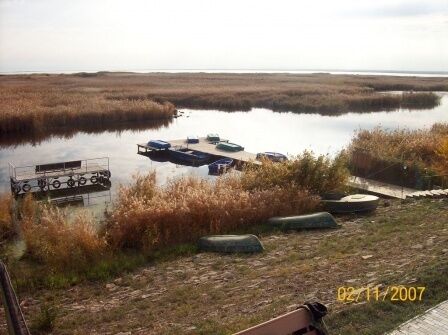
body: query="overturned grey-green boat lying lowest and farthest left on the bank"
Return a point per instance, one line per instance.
(230, 244)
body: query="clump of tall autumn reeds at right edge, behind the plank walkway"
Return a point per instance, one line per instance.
(413, 158)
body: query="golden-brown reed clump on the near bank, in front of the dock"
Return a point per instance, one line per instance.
(149, 217)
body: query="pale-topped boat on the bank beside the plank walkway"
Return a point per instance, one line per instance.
(354, 203)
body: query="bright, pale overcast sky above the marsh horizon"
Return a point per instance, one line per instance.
(138, 35)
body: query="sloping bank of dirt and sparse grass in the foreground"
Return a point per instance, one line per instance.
(219, 294)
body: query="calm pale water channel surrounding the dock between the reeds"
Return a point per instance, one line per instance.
(257, 130)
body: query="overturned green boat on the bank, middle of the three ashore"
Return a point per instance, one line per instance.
(311, 221)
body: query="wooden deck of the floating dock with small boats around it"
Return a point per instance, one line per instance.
(204, 146)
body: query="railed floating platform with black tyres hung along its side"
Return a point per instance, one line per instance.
(51, 176)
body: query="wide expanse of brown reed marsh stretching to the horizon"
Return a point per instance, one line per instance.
(39, 104)
